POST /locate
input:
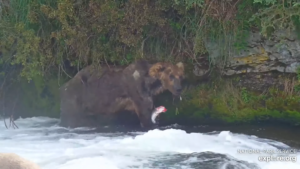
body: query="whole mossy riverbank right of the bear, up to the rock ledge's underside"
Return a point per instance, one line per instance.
(242, 99)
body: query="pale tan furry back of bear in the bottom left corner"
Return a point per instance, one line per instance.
(14, 161)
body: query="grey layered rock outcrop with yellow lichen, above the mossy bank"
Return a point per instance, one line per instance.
(280, 52)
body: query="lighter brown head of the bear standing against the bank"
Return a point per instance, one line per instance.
(169, 75)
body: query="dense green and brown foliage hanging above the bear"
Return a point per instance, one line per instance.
(42, 35)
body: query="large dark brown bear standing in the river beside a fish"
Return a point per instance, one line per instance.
(94, 94)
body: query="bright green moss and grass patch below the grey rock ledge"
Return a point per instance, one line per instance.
(222, 101)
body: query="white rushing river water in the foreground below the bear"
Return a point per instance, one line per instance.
(40, 140)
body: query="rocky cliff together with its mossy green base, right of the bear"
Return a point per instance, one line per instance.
(260, 83)
